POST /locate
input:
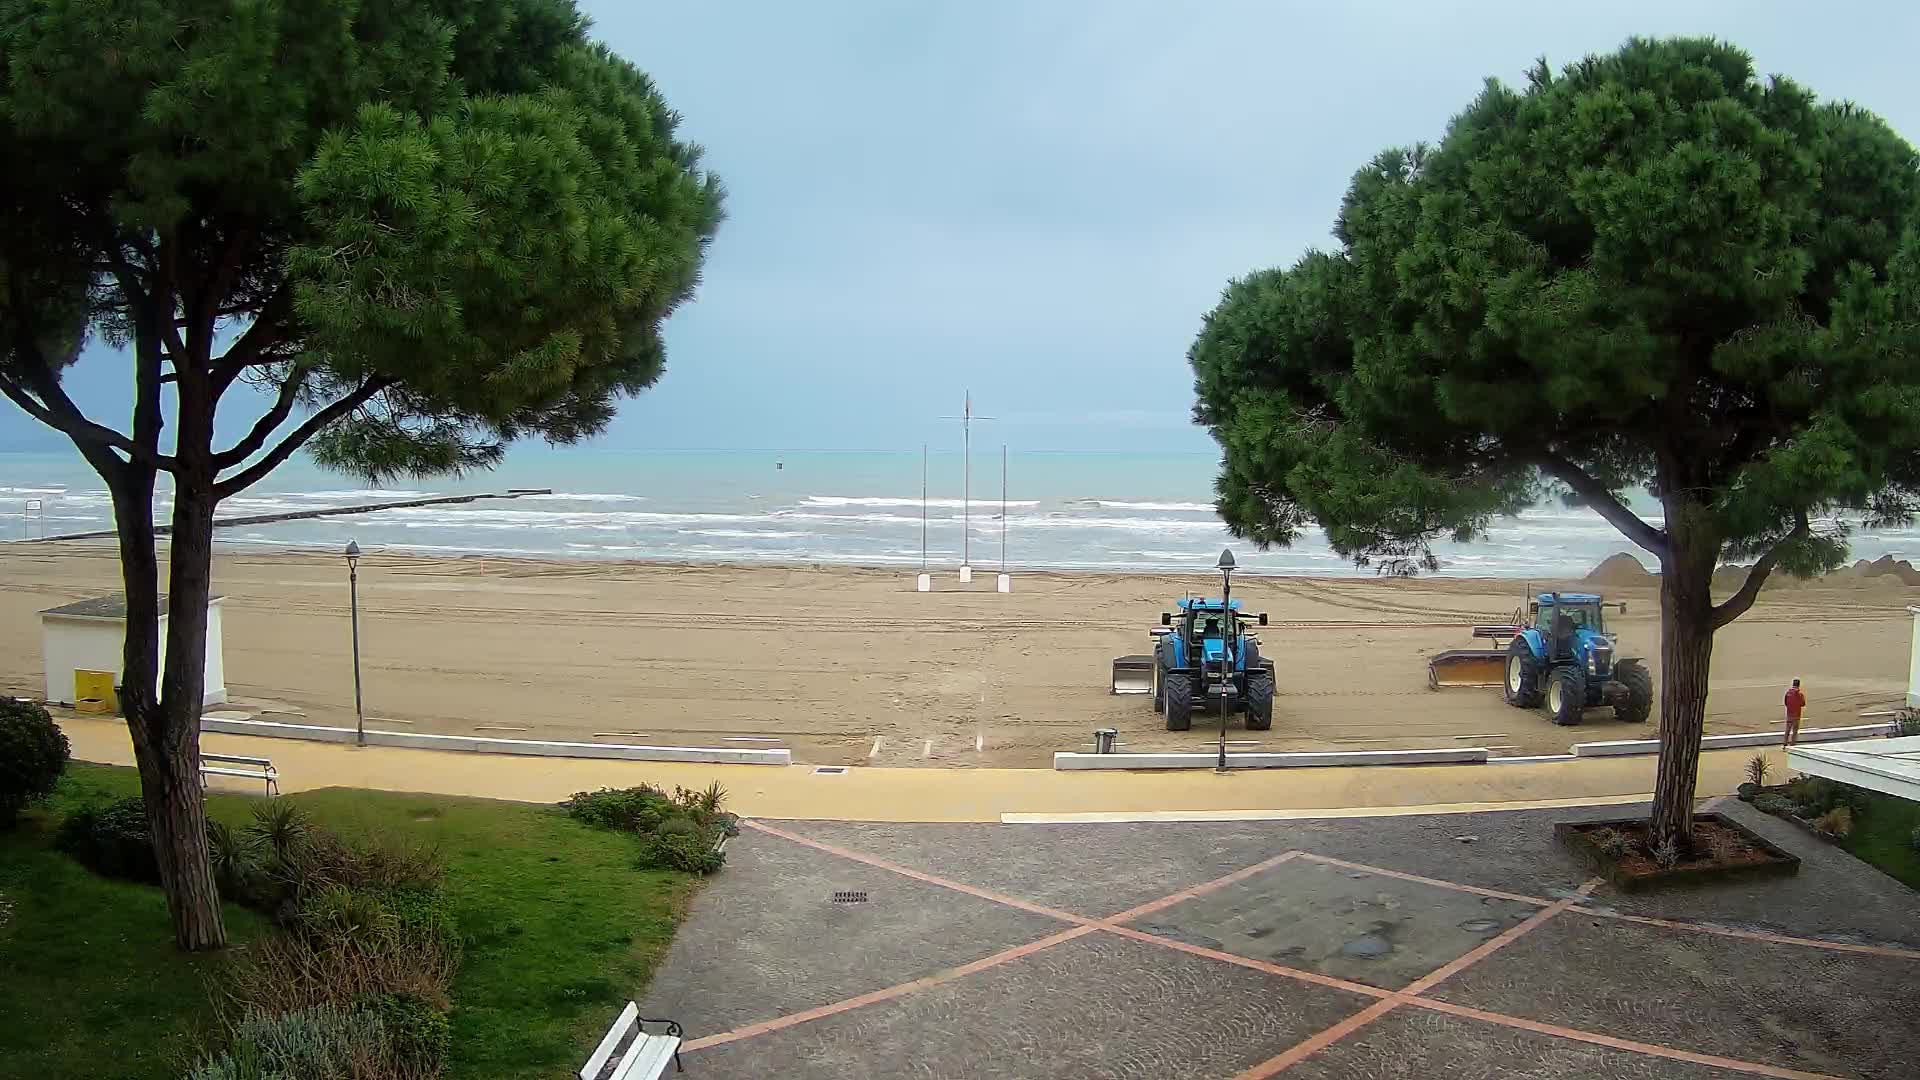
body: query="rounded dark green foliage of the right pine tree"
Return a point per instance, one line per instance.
(1650, 268)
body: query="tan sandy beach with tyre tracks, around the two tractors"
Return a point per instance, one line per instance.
(853, 668)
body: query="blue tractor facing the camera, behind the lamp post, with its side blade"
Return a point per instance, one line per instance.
(1203, 656)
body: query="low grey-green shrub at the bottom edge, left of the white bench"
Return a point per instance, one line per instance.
(325, 1041)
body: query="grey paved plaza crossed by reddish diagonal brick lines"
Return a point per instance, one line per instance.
(1341, 948)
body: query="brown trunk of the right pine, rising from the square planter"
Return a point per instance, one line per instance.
(1687, 656)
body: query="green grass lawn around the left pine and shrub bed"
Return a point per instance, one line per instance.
(560, 933)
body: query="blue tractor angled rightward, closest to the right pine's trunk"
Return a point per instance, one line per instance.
(1566, 660)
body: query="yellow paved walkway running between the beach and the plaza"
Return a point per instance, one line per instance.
(953, 795)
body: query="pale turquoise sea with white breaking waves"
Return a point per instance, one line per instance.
(1068, 510)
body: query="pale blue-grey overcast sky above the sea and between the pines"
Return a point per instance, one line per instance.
(1038, 201)
